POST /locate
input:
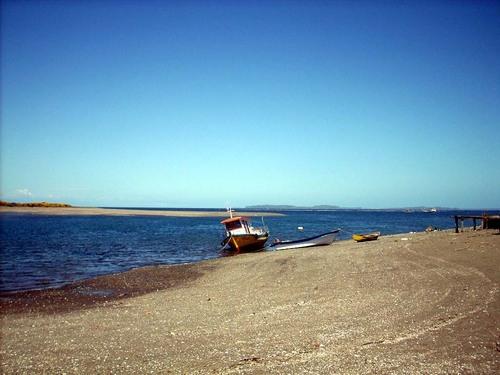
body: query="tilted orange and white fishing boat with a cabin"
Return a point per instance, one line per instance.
(241, 236)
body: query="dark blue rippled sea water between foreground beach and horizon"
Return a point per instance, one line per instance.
(49, 251)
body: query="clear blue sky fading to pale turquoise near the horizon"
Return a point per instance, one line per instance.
(205, 103)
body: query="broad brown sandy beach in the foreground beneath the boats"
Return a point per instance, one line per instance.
(413, 303)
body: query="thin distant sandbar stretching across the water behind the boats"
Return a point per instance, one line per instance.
(92, 211)
